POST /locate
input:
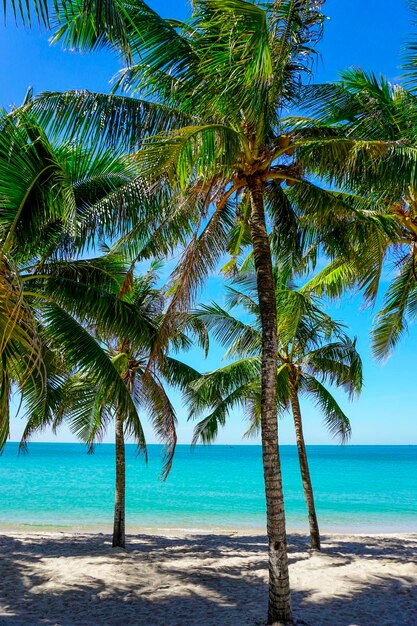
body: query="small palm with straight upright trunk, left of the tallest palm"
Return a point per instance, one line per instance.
(89, 408)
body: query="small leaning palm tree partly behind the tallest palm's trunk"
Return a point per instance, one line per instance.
(313, 350)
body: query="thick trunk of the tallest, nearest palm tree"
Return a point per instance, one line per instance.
(279, 605)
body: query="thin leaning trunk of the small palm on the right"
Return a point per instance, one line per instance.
(305, 472)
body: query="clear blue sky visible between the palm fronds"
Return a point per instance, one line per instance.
(364, 33)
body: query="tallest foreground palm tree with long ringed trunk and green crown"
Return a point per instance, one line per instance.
(213, 154)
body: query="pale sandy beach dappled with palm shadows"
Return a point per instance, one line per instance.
(203, 579)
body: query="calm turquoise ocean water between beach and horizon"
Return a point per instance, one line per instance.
(357, 488)
